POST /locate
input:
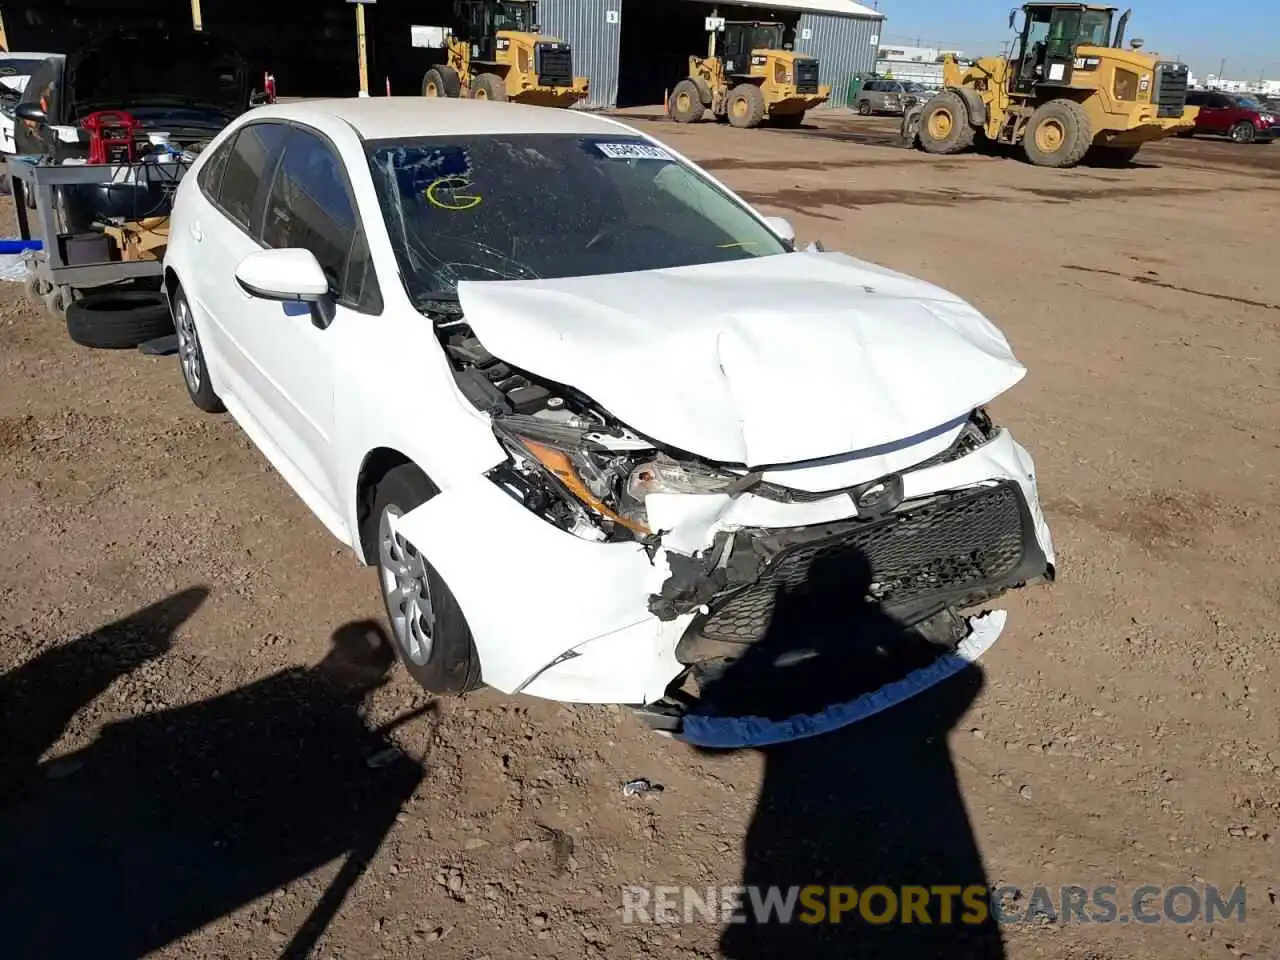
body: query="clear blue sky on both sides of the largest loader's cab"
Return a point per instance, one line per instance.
(1245, 33)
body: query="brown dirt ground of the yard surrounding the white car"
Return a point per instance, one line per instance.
(196, 756)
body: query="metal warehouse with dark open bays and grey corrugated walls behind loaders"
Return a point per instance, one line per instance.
(633, 51)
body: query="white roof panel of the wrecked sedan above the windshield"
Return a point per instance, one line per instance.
(401, 118)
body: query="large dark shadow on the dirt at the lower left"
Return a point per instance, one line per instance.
(176, 819)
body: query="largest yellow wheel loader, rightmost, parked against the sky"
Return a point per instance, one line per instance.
(1071, 89)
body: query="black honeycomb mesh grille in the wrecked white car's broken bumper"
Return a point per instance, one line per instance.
(963, 548)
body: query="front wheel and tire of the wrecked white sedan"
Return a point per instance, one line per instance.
(429, 632)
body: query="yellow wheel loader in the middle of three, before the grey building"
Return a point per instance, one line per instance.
(756, 77)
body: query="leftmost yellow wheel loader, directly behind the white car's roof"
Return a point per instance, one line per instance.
(499, 54)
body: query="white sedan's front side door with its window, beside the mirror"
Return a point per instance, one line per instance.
(294, 348)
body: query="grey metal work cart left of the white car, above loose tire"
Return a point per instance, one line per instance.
(56, 280)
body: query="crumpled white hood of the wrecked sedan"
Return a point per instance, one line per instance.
(760, 362)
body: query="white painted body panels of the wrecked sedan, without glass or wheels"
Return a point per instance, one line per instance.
(892, 367)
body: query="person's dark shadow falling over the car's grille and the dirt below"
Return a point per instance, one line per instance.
(875, 804)
